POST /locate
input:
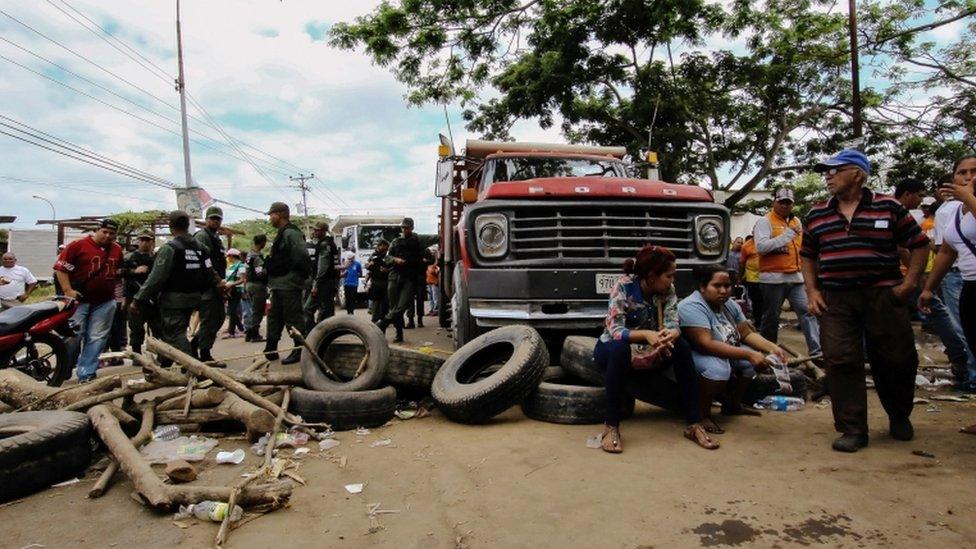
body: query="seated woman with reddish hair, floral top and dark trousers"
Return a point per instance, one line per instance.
(643, 310)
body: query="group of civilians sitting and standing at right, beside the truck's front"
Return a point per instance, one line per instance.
(854, 271)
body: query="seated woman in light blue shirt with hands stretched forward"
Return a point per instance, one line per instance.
(722, 342)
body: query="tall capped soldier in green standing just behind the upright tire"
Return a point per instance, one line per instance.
(288, 269)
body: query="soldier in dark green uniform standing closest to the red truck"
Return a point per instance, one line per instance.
(405, 258)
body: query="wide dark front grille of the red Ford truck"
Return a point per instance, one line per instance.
(595, 232)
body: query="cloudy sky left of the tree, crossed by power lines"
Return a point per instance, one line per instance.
(261, 68)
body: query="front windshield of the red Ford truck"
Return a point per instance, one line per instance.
(522, 168)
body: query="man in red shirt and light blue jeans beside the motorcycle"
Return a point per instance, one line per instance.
(87, 270)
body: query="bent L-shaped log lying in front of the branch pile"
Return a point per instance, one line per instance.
(161, 496)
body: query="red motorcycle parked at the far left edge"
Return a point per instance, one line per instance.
(38, 340)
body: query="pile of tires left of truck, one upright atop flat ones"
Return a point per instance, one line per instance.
(369, 375)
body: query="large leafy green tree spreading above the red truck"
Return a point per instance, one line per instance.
(608, 71)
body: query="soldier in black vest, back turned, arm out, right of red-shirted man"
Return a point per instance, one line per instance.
(180, 276)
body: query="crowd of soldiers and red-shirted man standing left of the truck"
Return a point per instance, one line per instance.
(186, 290)
